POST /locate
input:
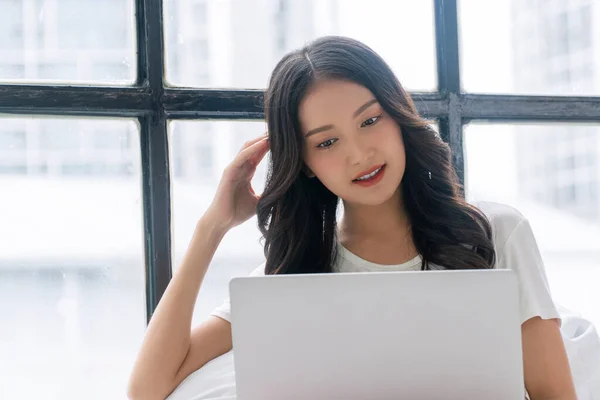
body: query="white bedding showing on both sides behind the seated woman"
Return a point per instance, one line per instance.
(216, 380)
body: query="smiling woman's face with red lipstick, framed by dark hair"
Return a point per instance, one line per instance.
(347, 134)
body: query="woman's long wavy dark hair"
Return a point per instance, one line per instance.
(297, 214)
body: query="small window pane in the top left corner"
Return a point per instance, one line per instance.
(75, 41)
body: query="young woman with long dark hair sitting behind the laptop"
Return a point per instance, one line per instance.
(342, 131)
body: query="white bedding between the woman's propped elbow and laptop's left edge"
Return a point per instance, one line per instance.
(214, 381)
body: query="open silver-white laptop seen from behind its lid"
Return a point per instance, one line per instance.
(383, 335)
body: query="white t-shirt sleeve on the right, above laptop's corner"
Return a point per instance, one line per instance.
(521, 254)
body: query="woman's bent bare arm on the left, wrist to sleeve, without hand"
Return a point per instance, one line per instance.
(170, 352)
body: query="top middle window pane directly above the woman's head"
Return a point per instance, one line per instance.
(236, 43)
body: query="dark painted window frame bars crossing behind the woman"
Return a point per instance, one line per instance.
(153, 103)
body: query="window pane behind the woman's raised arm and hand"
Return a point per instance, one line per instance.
(200, 151)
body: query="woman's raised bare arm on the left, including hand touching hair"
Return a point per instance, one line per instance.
(171, 350)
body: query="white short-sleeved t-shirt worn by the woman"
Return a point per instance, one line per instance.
(515, 247)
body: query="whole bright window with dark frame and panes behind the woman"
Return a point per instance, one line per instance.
(111, 148)
